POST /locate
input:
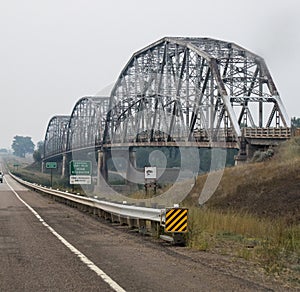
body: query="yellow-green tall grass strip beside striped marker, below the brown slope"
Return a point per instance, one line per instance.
(271, 243)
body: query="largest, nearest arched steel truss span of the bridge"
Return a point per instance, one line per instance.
(192, 89)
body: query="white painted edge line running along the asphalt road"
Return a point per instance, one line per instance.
(115, 286)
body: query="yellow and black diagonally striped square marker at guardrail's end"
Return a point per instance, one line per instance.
(176, 220)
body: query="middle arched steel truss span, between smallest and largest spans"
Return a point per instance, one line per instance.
(87, 122)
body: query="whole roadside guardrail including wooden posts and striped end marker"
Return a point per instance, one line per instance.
(133, 216)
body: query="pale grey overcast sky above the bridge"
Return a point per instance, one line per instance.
(52, 52)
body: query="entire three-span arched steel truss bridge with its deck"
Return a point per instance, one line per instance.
(178, 91)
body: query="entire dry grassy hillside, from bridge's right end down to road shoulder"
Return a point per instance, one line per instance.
(254, 213)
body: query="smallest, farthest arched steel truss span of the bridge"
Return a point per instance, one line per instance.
(56, 136)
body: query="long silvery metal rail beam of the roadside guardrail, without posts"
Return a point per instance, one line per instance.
(122, 210)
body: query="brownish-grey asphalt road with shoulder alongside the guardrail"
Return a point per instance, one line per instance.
(66, 250)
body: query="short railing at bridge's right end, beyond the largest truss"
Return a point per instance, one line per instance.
(267, 133)
